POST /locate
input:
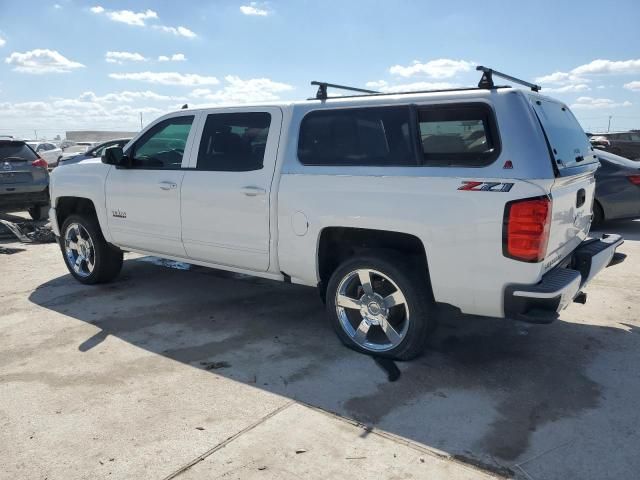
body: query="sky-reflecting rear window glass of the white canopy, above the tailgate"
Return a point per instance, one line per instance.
(569, 144)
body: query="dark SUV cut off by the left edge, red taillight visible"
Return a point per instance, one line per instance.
(24, 179)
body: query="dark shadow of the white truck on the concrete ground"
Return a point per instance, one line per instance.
(482, 390)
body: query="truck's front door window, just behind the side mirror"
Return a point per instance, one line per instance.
(163, 146)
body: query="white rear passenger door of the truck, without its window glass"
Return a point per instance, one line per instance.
(225, 214)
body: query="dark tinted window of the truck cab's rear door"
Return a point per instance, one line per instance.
(234, 142)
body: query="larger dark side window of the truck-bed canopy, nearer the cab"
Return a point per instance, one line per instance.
(364, 136)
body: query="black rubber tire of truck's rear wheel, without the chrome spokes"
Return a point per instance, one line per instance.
(413, 283)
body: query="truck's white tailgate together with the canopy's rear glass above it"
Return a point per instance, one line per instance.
(573, 189)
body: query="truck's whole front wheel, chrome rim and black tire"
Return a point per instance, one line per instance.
(88, 256)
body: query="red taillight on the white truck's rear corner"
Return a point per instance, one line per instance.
(526, 229)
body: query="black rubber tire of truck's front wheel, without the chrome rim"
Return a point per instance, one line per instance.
(107, 259)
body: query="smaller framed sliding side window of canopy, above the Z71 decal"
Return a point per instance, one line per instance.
(460, 136)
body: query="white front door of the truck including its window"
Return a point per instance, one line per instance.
(143, 200)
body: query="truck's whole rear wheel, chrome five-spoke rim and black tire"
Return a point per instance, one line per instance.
(381, 304)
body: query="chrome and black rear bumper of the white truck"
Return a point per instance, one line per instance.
(542, 302)
